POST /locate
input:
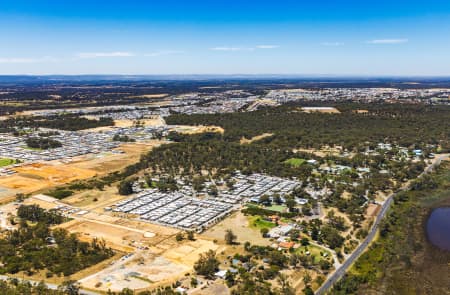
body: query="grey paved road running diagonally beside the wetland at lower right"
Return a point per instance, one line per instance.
(339, 273)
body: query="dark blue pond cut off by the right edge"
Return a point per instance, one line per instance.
(438, 228)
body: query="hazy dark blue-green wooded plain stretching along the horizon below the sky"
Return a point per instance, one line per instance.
(66, 92)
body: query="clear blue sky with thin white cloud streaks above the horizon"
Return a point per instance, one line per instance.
(225, 37)
